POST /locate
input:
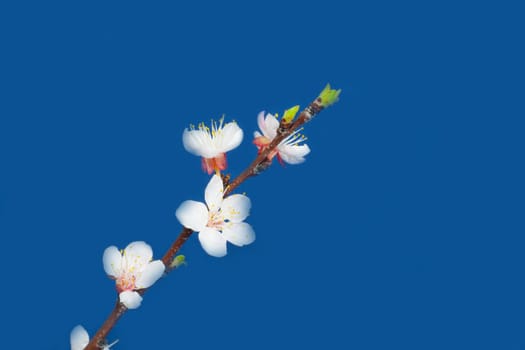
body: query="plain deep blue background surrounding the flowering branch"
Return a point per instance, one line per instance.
(403, 230)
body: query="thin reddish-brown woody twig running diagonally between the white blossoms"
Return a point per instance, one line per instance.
(259, 164)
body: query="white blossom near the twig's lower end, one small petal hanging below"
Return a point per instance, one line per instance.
(132, 269)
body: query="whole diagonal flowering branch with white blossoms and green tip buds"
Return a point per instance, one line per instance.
(280, 139)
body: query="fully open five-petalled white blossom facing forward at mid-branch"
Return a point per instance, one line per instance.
(219, 220)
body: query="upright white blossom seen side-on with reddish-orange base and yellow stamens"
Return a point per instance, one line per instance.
(213, 144)
